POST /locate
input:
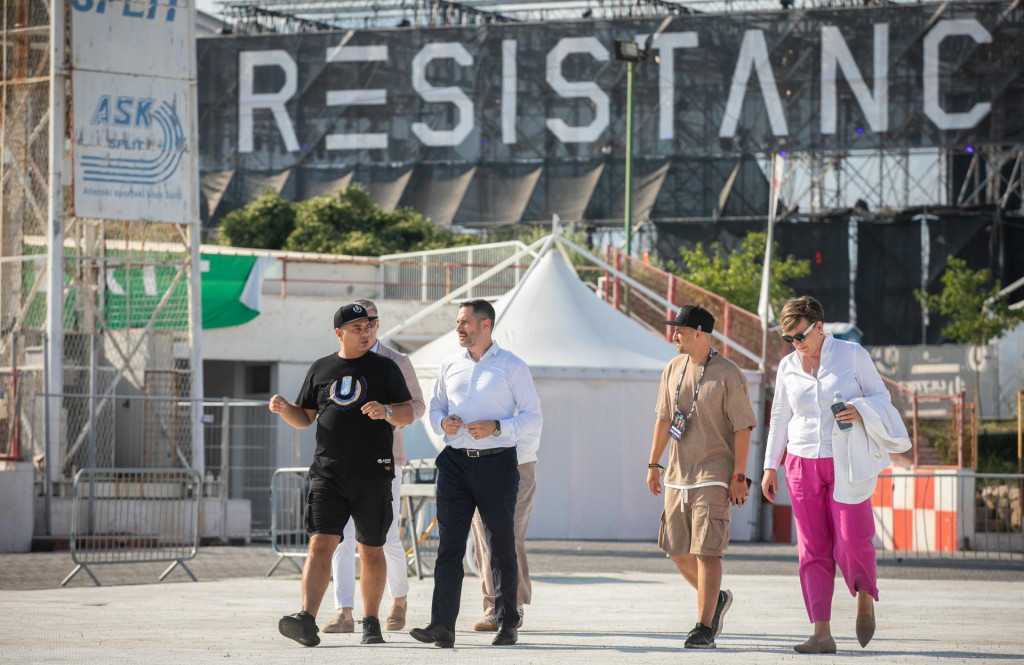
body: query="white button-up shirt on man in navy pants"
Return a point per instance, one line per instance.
(498, 388)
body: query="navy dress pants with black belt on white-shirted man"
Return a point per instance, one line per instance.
(465, 484)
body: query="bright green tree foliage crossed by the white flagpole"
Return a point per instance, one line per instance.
(737, 276)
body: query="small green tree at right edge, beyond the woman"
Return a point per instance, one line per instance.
(977, 315)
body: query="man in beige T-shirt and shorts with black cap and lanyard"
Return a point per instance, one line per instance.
(705, 420)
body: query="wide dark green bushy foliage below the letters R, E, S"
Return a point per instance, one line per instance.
(350, 223)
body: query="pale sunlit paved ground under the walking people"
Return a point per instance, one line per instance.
(593, 603)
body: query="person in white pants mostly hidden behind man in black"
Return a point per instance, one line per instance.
(344, 564)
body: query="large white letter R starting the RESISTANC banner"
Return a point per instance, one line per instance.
(250, 101)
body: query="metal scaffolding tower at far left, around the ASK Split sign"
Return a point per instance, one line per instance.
(92, 311)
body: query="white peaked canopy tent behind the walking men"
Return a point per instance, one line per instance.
(598, 373)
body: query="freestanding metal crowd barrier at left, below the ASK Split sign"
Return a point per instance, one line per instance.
(134, 516)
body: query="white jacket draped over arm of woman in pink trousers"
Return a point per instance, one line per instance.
(863, 452)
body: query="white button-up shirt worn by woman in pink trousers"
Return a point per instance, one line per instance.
(801, 412)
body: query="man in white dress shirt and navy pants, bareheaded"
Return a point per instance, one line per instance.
(485, 403)
